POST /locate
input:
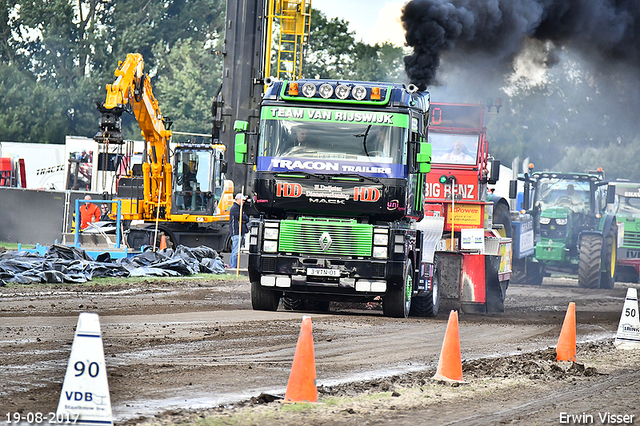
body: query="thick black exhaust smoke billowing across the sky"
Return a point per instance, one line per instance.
(601, 31)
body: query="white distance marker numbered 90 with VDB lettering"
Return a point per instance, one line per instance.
(85, 393)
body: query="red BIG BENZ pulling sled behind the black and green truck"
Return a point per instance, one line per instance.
(472, 261)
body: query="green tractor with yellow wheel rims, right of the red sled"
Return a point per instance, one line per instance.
(573, 232)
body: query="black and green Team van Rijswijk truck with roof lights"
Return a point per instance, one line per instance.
(338, 210)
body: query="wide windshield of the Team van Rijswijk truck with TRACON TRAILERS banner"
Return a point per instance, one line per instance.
(333, 147)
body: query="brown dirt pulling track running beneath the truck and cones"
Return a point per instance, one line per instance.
(188, 345)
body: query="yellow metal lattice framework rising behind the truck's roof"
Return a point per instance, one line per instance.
(292, 18)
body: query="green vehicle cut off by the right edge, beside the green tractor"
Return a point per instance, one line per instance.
(626, 207)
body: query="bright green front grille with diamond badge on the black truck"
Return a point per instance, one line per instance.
(339, 237)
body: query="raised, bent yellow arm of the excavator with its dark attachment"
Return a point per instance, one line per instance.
(132, 91)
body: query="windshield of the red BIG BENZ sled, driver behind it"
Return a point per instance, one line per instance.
(450, 148)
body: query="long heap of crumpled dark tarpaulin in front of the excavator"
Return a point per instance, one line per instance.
(64, 264)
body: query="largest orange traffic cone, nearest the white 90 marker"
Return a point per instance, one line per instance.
(302, 380)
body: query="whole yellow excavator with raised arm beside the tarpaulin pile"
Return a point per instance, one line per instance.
(187, 200)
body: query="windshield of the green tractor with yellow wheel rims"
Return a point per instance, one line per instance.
(562, 192)
